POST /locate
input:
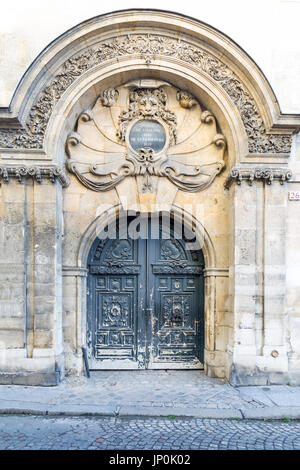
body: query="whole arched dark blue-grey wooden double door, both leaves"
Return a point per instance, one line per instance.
(145, 299)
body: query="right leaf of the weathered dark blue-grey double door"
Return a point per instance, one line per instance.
(175, 306)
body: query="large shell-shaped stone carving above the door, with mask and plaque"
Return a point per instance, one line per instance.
(154, 137)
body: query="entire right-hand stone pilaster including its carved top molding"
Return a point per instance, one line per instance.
(257, 273)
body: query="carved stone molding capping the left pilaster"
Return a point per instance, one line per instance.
(38, 173)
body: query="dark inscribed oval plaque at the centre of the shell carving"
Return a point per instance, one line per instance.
(147, 134)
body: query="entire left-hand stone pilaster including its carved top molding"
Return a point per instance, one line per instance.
(31, 253)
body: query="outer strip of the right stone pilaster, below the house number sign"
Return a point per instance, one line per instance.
(274, 352)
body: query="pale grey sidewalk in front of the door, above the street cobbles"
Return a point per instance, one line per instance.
(152, 393)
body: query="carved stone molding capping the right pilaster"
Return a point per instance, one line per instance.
(268, 175)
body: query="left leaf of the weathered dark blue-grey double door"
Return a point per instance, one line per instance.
(114, 325)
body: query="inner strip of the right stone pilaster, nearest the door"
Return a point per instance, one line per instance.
(243, 278)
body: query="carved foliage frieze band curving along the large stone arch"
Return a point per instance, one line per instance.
(148, 47)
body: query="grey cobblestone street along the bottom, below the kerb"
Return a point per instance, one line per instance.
(37, 432)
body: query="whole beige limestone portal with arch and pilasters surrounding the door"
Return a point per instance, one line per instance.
(227, 165)
